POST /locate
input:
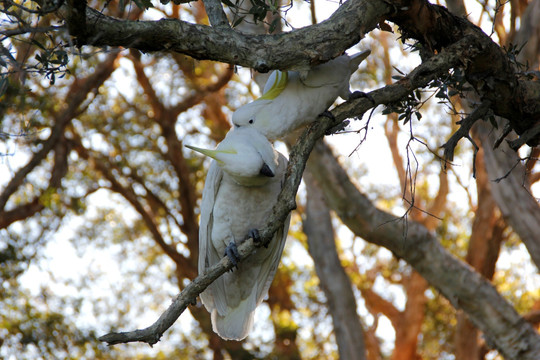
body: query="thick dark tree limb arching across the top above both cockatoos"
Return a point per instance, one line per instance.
(492, 74)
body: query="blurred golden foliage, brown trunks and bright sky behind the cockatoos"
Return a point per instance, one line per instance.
(99, 199)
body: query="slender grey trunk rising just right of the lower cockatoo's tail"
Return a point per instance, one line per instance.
(334, 282)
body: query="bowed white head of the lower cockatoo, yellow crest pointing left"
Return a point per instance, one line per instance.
(246, 155)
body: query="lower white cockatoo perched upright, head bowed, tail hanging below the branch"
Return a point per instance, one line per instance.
(242, 186)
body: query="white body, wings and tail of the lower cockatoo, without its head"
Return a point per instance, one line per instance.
(229, 210)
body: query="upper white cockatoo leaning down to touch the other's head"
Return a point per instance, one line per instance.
(291, 100)
